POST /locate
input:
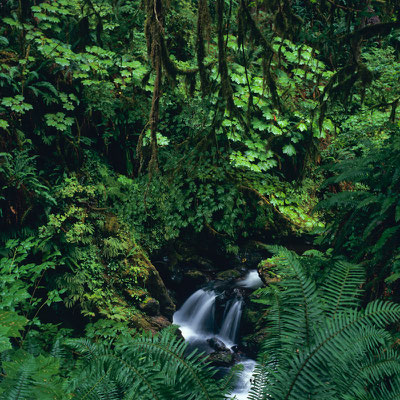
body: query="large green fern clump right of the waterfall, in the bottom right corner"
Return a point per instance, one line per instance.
(320, 344)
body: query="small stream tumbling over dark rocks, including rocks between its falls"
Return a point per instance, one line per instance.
(210, 320)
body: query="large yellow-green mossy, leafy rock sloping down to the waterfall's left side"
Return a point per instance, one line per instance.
(115, 275)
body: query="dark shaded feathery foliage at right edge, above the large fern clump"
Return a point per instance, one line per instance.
(365, 217)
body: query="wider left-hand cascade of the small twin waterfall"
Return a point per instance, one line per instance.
(196, 316)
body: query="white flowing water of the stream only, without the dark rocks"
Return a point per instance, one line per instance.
(196, 321)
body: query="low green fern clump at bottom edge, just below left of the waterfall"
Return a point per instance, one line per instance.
(144, 367)
